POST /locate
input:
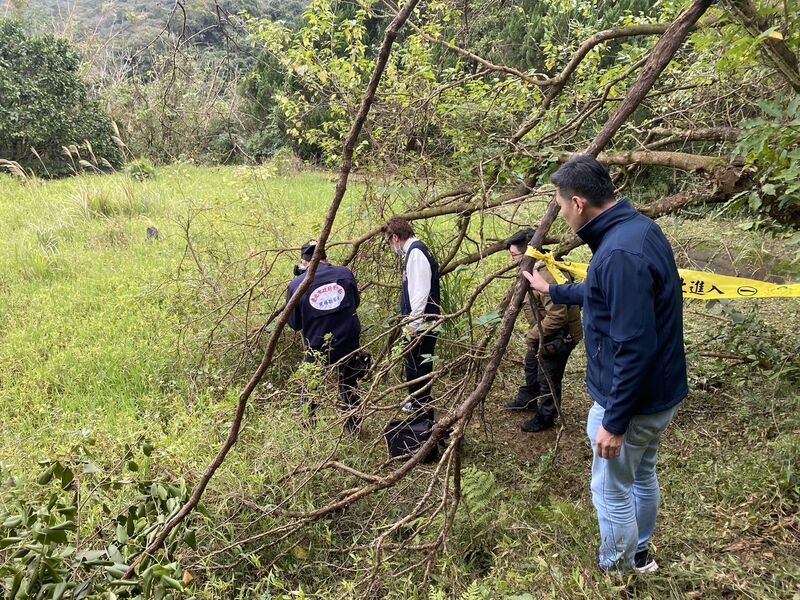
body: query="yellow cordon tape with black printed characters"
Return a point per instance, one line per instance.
(696, 284)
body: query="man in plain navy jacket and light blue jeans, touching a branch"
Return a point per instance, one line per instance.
(636, 367)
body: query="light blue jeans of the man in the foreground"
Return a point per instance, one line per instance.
(625, 489)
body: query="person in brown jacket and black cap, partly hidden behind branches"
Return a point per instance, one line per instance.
(561, 326)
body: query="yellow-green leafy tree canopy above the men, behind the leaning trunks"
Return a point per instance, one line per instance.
(502, 90)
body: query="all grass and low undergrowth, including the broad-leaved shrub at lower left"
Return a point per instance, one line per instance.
(119, 369)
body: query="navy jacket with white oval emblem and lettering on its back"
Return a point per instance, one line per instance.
(328, 308)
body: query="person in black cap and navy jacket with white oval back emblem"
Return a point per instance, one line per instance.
(326, 314)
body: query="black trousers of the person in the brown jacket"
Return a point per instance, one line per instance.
(536, 384)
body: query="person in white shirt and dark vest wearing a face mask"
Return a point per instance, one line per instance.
(420, 304)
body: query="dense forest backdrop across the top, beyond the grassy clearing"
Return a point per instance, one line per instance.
(235, 82)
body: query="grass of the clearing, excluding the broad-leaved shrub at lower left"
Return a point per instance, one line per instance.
(101, 330)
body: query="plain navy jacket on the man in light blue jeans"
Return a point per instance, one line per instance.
(632, 317)
